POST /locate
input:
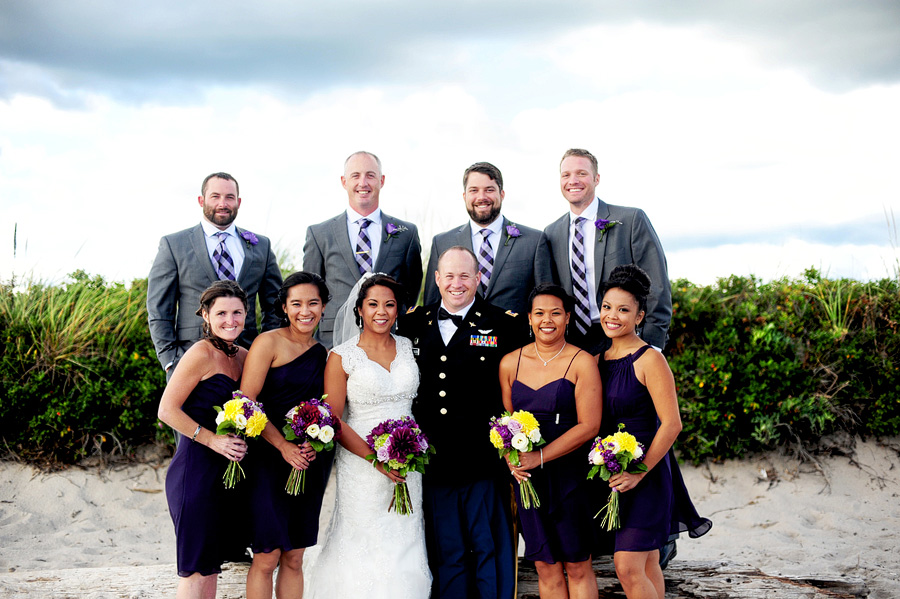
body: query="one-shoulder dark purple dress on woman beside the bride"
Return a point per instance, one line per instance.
(279, 520)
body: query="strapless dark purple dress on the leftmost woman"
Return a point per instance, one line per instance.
(200, 505)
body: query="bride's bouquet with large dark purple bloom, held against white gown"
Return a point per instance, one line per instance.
(400, 445)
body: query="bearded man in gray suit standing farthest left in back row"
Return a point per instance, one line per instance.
(191, 260)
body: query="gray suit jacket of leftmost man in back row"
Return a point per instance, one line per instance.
(181, 273)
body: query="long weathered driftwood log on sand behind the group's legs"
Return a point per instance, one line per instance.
(687, 580)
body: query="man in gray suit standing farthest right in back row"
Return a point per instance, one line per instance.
(594, 237)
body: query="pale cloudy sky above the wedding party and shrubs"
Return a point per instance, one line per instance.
(761, 137)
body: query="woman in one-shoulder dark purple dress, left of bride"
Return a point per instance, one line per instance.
(285, 367)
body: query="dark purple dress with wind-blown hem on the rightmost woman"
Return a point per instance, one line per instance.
(659, 504)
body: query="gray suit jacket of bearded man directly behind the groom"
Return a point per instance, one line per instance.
(515, 266)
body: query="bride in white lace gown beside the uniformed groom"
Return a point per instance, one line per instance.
(368, 551)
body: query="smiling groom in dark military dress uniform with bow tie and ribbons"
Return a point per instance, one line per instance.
(458, 343)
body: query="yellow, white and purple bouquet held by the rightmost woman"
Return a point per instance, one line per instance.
(608, 456)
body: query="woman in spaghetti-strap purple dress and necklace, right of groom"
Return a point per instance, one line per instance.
(560, 385)
